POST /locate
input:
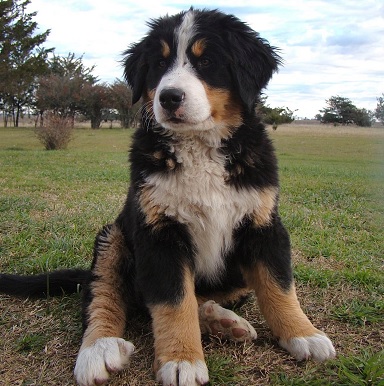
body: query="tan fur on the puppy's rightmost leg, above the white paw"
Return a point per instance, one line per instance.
(280, 308)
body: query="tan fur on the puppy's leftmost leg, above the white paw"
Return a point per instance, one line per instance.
(107, 310)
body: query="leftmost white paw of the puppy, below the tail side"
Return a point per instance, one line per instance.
(95, 363)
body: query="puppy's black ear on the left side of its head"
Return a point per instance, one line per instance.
(135, 69)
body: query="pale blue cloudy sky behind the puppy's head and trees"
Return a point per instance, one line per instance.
(329, 47)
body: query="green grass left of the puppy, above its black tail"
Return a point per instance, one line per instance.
(53, 202)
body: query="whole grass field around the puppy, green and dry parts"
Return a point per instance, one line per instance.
(52, 203)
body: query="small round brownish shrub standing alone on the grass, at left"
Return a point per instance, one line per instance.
(55, 132)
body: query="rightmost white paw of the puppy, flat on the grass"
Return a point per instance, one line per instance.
(318, 347)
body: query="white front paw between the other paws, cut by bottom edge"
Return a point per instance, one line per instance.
(183, 373)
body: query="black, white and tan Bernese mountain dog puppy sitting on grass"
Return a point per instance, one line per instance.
(200, 226)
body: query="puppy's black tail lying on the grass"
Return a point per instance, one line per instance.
(66, 281)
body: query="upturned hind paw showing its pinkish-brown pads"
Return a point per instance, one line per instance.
(222, 322)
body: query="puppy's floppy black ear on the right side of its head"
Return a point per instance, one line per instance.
(253, 63)
